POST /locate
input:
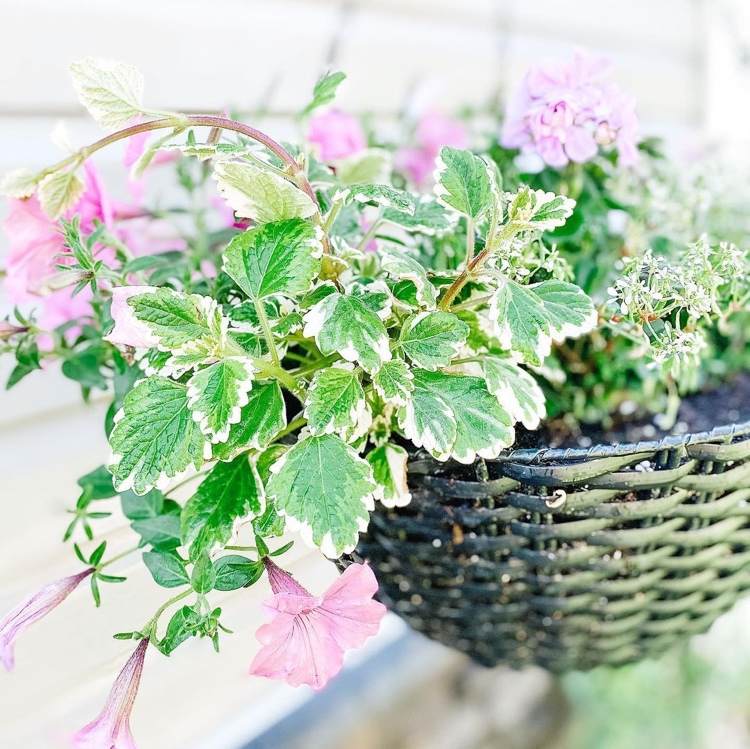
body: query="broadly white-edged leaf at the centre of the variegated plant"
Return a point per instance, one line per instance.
(348, 326)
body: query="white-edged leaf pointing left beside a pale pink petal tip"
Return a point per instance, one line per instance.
(176, 318)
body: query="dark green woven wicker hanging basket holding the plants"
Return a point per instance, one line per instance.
(570, 558)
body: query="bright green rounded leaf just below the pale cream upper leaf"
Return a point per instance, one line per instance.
(281, 258)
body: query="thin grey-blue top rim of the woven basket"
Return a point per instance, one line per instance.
(724, 433)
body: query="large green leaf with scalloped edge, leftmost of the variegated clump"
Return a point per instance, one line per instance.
(155, 437)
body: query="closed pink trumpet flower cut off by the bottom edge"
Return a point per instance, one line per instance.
(111, 729)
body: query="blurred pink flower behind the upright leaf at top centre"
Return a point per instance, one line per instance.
(433, 131)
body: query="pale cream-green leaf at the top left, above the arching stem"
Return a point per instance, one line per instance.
(111, 91)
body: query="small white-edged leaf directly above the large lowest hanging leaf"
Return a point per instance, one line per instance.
(336, 403)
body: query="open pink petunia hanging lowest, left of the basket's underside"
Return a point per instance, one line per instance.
(305, 641)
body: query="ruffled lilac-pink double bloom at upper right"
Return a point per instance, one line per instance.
(566, 112)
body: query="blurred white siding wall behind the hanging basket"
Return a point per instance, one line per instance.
(686, 61)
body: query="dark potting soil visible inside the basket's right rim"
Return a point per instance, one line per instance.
(726, 404)
